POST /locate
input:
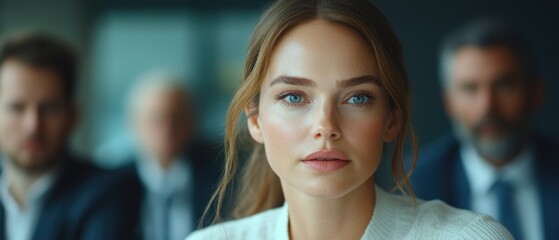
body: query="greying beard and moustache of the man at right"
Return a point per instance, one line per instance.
(498, 149)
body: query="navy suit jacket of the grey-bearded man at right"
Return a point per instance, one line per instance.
(440, 175)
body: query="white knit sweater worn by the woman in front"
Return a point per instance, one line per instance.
(394, 217)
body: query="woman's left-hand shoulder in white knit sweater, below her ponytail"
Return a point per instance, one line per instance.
(258, 226)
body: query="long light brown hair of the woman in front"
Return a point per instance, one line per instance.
(259, 188)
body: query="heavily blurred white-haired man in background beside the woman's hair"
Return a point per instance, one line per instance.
(174, 179)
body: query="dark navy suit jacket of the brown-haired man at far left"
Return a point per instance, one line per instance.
(82, 204)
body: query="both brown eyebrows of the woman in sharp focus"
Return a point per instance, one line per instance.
(340, 84)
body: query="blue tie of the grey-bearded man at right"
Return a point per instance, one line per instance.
(508, 214)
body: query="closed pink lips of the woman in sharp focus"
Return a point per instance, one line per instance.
(326, 160)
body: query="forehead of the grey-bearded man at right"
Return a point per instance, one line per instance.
(476, 63)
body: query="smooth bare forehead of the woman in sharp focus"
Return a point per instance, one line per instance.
(322, 50)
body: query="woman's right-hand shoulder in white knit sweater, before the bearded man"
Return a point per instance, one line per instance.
(432, 220)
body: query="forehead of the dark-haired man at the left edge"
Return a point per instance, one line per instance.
(19, 79)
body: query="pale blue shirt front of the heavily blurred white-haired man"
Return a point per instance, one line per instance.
(167, 205)
